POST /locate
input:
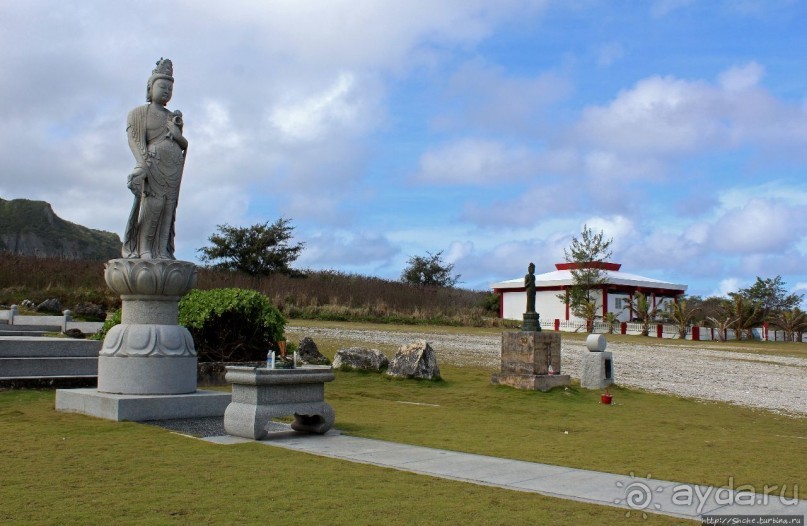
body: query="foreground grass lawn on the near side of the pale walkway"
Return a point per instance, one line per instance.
(62, 469)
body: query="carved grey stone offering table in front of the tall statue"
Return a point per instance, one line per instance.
(260, 394)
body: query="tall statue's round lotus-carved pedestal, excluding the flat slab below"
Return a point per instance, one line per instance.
(148, 353)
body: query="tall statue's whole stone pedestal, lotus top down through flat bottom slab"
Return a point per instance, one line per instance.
(147, 364)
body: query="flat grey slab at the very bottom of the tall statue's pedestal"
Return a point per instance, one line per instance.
(137, 408)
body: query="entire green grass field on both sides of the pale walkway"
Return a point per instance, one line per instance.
(71, 469)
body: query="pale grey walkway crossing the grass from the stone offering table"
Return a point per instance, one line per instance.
(637, 495)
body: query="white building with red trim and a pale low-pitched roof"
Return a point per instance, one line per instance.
(615, 296)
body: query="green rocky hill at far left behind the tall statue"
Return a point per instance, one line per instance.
(31, 228)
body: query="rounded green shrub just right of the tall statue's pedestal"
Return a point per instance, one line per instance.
(231, 325)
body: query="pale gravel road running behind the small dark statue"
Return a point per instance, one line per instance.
(775, 383)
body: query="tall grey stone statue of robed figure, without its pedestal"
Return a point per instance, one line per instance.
(155, 138)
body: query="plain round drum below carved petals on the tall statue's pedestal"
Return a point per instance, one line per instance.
(147, 376)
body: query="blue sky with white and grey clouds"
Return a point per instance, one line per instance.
(489, 130)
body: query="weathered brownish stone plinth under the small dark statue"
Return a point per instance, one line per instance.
(526, 357)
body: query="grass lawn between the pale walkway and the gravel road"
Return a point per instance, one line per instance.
(667, 437)
